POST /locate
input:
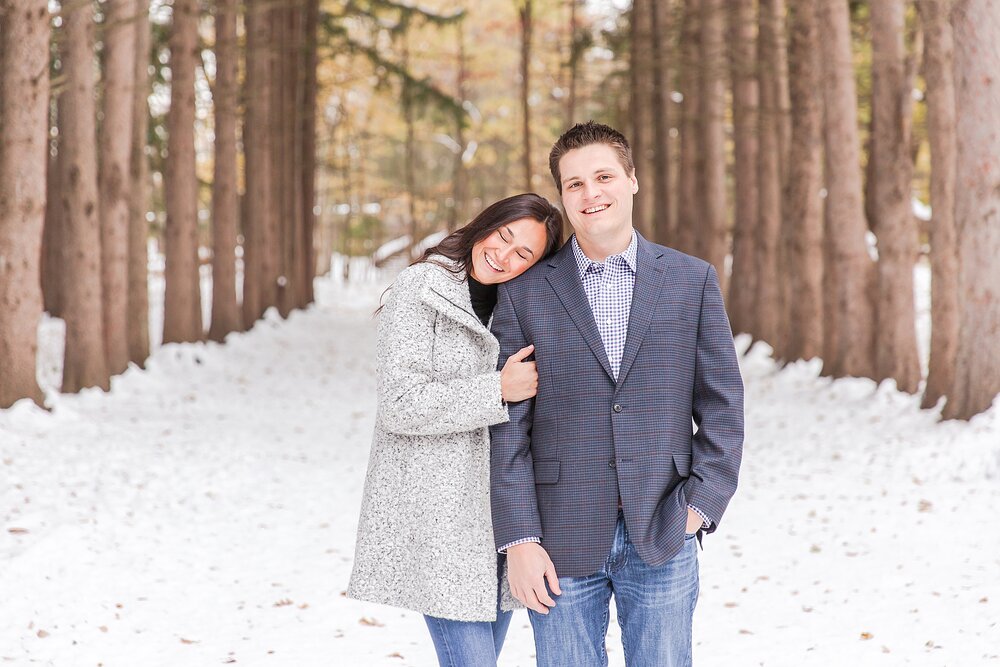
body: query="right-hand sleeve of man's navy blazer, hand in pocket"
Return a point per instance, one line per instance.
(717, 409)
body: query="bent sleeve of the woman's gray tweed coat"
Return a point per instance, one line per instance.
(411, 401)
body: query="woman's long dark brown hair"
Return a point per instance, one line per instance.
(457, 246)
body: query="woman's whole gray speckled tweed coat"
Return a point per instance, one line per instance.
(425, 537)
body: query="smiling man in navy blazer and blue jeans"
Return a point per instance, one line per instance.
(600, 484)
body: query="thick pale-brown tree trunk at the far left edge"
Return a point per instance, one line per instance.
(24, 121)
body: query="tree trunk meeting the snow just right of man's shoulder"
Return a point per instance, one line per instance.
(743, 65)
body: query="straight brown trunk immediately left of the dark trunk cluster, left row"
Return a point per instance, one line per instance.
(225, 198)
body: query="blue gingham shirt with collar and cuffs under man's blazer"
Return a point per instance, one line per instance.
(609, 286)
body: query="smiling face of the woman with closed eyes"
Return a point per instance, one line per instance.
(508, 252)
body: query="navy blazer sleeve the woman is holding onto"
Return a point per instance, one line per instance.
(512, 476)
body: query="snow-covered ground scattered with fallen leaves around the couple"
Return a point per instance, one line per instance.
(203, 512)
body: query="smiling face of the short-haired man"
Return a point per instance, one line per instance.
(596, 191)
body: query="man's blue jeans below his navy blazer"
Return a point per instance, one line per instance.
(655, 606)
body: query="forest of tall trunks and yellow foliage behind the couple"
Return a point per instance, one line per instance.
(800, 146)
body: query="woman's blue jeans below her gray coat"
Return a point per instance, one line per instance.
(469, 643)
